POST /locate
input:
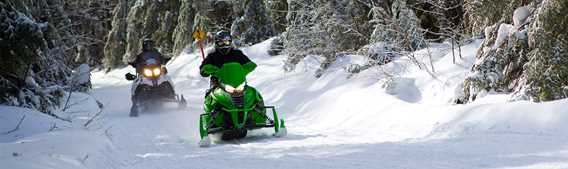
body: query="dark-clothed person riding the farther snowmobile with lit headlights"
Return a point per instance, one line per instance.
(148, 52)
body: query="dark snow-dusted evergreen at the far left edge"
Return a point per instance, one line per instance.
(33, 71)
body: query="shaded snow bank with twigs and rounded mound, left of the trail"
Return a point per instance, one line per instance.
(33, 140)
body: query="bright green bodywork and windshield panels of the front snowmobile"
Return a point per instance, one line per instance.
(252, 113)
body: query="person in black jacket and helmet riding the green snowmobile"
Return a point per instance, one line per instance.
(224, 53)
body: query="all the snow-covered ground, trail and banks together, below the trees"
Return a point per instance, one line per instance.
(368, 120)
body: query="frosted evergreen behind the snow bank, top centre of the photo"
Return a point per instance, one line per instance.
(324, 28)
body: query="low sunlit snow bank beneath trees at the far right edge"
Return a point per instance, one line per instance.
(521, 117)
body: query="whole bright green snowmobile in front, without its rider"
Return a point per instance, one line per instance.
(233, 108)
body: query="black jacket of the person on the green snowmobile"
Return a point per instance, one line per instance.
(218, 59)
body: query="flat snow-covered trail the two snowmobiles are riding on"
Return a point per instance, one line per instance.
(168, 140)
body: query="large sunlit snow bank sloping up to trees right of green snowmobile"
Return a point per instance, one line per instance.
(416, 104)
